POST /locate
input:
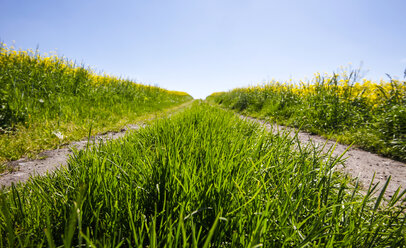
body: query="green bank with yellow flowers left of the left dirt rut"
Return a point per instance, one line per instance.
(47, 101)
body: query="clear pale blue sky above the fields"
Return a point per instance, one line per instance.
(204, 46)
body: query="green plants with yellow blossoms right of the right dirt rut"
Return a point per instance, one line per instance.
(372, 115)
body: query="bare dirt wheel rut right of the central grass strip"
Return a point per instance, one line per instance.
(359, 163)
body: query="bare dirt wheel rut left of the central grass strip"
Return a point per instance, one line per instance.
(23, 168)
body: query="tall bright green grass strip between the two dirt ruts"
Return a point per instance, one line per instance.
(201, 178)
